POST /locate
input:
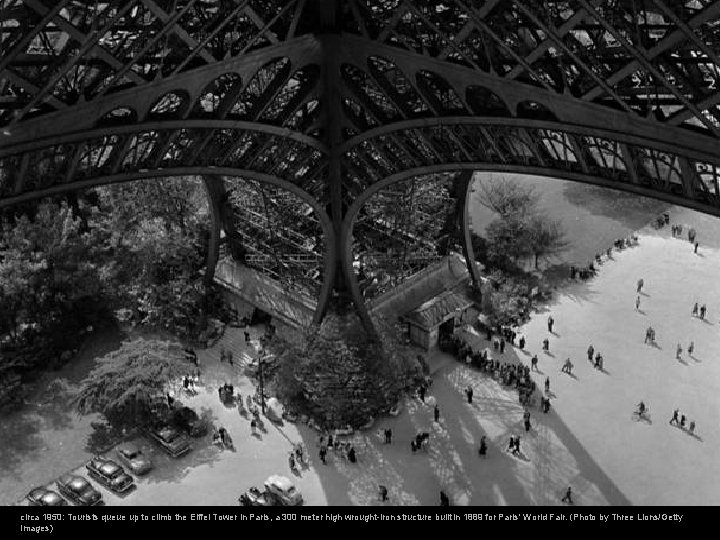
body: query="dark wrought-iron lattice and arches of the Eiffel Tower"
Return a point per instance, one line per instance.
(335, 101)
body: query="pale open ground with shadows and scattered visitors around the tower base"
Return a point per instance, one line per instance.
(588, 440)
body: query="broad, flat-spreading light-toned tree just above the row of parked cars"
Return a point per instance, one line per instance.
(128, 382)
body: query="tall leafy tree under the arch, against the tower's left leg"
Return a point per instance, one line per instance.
(158, 231)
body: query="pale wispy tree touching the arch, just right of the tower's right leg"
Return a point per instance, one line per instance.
(508, 197)
